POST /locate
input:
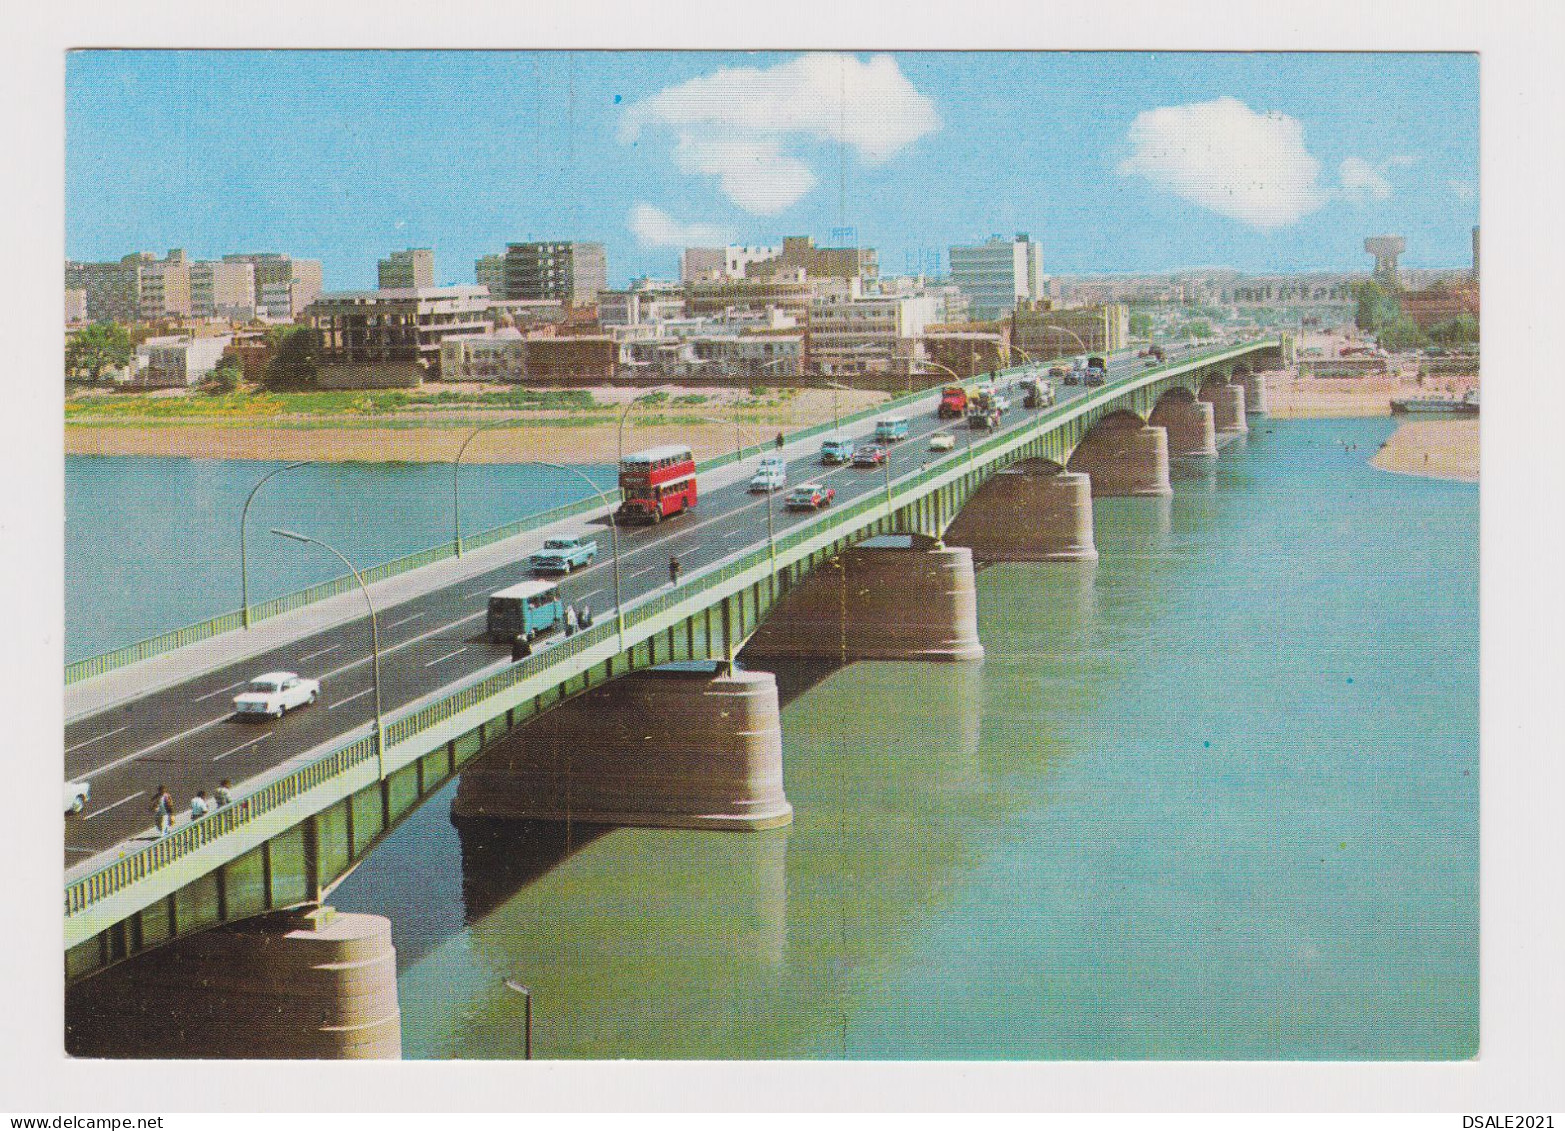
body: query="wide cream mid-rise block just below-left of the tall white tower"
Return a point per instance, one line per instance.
(852, 334)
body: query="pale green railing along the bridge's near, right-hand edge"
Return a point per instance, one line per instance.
(135, 866)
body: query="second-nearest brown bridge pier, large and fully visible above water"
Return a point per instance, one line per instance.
(663, 749)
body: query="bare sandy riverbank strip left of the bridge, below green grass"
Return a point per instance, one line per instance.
(434, 437)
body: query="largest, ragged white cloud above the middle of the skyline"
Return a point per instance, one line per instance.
(736, 123)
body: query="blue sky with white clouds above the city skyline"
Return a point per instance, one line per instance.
(1115, 162)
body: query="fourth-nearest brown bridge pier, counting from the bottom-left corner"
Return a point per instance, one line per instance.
(1031, 512)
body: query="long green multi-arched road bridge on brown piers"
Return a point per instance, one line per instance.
(642, 719)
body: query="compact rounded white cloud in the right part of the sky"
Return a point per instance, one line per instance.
(1223, 156)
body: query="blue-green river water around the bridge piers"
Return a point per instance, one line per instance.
(1214, 797)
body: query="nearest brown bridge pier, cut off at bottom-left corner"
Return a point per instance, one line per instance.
(304, 986)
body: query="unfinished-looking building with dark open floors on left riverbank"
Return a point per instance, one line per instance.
(390, 339)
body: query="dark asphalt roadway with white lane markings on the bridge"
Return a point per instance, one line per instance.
(189, 739)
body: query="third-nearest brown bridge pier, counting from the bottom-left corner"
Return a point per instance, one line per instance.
(893, 598)
